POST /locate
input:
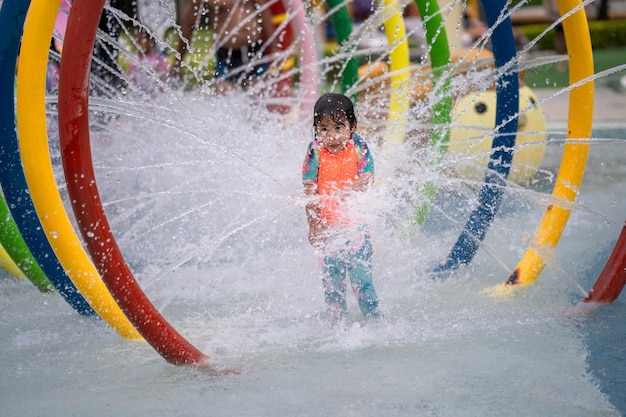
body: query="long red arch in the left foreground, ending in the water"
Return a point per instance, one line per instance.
(86, 202)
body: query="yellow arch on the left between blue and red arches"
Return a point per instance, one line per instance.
(33, 141)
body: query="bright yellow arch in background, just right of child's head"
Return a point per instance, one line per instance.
(400, 74)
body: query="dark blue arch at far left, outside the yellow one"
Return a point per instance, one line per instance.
(12, 178)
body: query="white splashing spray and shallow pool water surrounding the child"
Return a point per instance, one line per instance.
(203, 193)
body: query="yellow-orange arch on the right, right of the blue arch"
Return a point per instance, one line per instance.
(574, 157)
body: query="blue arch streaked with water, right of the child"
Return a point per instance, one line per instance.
(507, 107)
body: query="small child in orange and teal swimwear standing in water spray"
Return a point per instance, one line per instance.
(337, 164)
